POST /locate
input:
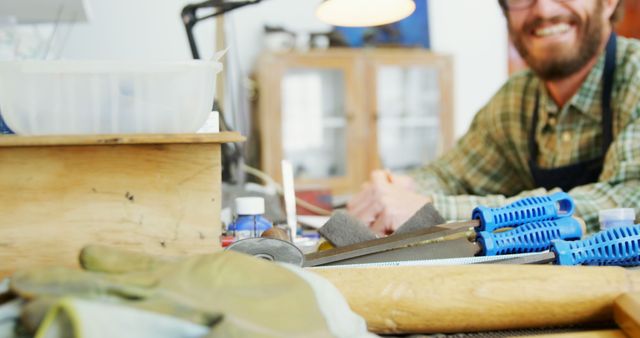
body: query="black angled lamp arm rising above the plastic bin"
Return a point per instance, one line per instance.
(190, 18)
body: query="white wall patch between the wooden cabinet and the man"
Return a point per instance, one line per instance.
(474, 33)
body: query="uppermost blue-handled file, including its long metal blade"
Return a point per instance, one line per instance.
(528, 210)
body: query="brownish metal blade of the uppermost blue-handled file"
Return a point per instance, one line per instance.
(388, 243)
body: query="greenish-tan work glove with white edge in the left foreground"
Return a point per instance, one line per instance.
(234, 294)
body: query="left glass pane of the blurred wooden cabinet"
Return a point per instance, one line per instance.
(314, 122)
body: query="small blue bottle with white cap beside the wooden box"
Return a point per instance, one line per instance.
(250, 221)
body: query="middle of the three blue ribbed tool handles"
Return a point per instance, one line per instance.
(530, 237)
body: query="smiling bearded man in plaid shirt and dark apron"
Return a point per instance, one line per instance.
(571, 122)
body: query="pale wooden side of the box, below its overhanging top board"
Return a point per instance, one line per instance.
(155, 198)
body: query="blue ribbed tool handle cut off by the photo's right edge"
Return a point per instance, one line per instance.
(616, 246)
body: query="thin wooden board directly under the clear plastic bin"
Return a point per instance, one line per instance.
(24, 141)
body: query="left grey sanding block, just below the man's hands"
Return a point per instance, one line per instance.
(343, 229)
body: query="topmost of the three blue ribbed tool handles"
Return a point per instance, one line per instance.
(526, 210)
